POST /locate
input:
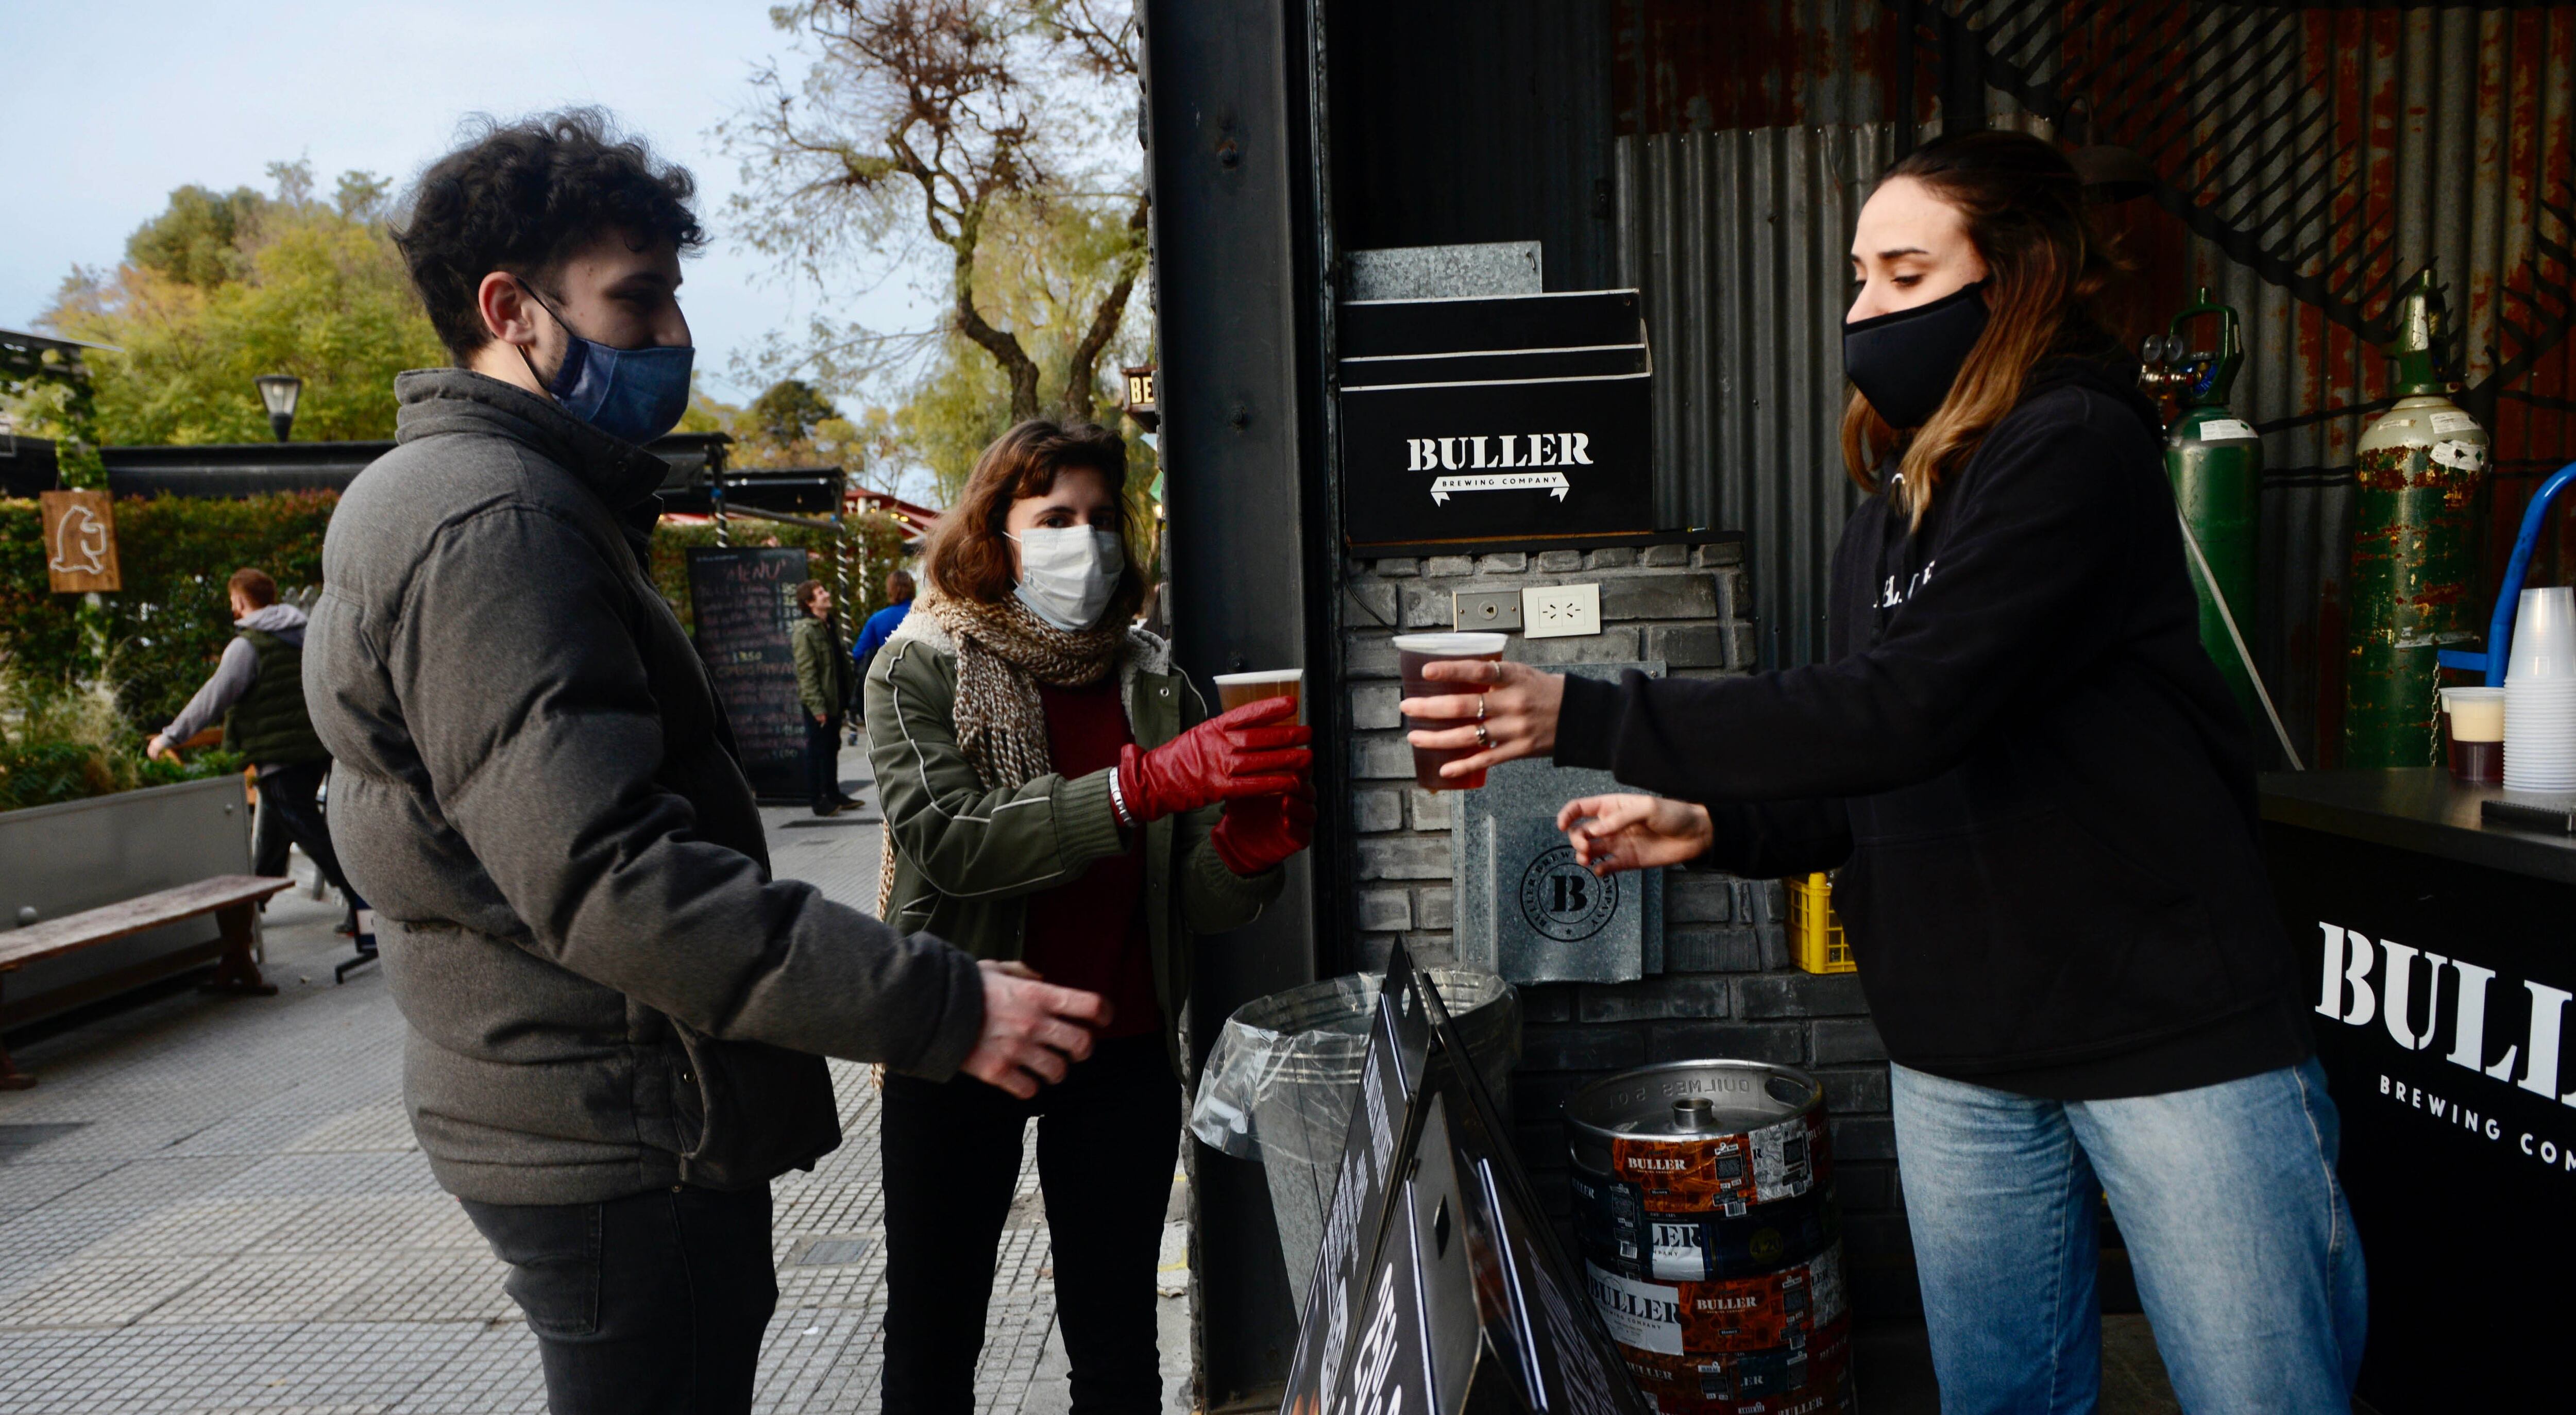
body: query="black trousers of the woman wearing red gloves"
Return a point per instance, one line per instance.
(1106, 1146)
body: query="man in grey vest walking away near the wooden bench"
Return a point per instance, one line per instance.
(259, 697)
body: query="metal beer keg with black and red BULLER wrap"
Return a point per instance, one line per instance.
(1709, 1233)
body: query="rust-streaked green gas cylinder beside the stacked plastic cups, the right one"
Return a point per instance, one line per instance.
(2415, 545)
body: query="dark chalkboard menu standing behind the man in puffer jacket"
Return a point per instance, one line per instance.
(746, 610)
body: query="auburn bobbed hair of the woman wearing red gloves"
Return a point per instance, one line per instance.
(970, 555)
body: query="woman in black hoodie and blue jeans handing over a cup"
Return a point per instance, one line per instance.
(2041, 800)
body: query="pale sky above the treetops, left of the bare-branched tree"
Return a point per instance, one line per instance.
(112, 104)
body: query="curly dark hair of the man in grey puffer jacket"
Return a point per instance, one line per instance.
(524, 197)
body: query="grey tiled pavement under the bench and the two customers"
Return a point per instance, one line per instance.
(218, 1205)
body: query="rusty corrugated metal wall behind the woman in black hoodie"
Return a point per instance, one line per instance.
(2309, 161)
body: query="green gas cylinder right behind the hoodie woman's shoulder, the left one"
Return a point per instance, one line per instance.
(2217, 468)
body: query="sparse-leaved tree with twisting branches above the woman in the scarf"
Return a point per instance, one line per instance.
(978, 112)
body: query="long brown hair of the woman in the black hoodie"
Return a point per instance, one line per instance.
(2044, 269)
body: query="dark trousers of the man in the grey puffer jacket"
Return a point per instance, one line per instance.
(643, 1305)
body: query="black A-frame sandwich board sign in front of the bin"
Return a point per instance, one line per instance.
(1439, 1287)
